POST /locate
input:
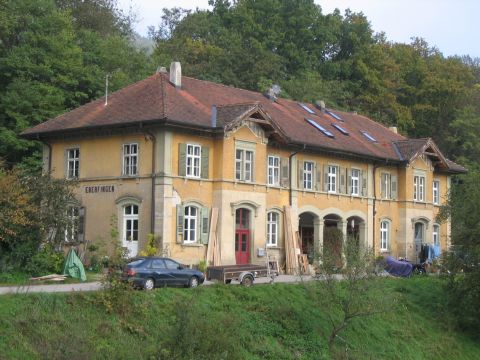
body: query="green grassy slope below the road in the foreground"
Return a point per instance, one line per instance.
(279, 321)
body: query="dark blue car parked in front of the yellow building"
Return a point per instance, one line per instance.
(151, 272)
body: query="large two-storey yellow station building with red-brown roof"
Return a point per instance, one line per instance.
(193, 161)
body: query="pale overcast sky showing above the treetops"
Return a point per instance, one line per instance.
(450, 25)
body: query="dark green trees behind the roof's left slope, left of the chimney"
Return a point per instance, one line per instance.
(54, 57)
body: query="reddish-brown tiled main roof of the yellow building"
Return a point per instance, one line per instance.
(156, 99)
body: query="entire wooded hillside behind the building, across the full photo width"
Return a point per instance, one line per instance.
(55, 55)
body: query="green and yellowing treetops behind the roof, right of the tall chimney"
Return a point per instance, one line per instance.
(332, 57)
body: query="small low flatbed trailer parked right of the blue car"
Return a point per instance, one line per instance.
(245, 273)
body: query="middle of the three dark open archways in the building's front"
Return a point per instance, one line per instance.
(333, 240)
